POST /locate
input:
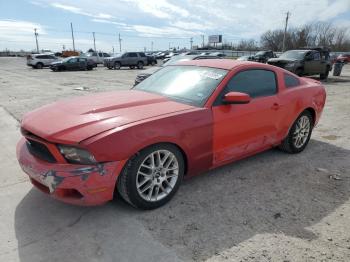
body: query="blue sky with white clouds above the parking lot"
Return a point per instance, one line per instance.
(163, 22)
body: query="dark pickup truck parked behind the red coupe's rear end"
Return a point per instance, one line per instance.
(313, 61)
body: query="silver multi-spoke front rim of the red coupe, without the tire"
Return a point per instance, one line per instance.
(157, 175)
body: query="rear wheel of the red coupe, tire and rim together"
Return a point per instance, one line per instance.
(299, 135)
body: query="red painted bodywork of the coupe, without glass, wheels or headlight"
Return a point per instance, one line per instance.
(114, 126)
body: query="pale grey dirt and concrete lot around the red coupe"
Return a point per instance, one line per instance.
(271, 207)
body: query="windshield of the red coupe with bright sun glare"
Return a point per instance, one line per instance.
(188, 84)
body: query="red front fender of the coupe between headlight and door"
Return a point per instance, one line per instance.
(190, 130)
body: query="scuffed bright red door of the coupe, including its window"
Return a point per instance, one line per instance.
(243, 129)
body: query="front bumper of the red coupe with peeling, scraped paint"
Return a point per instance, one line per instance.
(71, 183)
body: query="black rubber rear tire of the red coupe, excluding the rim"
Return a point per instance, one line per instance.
(289, 144)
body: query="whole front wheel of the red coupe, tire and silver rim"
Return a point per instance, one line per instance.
(152, 177)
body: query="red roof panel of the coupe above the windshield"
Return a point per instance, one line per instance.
(227, 64)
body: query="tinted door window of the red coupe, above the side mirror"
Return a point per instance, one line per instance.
(255, 82)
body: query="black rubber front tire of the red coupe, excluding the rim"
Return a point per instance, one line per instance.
(128, 179)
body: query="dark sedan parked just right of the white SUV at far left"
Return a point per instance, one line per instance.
(73, 63)
